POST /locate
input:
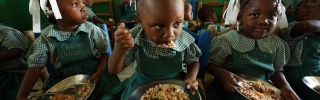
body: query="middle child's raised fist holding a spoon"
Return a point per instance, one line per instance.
(123, 37)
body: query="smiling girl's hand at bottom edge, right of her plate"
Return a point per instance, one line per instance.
(288, 94)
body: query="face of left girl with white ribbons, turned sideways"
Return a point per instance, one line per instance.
(73, 12)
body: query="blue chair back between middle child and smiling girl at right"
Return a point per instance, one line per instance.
(204, 43)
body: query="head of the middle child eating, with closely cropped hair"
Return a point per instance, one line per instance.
(161, 19)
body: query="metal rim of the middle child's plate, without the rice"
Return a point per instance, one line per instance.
(137, 94)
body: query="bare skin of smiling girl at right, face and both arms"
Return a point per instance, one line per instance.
(258, 18)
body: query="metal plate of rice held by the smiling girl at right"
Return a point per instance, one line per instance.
(256, 89)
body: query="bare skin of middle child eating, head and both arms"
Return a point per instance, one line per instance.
(164, 26)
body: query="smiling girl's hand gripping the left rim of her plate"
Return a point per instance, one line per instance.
(229, 80)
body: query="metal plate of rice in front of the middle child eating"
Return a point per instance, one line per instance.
(171, 89)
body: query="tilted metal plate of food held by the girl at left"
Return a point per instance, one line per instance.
(77, 87)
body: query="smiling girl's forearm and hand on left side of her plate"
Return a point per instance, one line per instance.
(227, 78)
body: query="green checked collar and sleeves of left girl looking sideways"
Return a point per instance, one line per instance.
(43, 49)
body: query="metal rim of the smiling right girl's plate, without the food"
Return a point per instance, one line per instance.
(250, 78)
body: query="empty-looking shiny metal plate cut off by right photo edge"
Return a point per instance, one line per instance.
(312, 82)
